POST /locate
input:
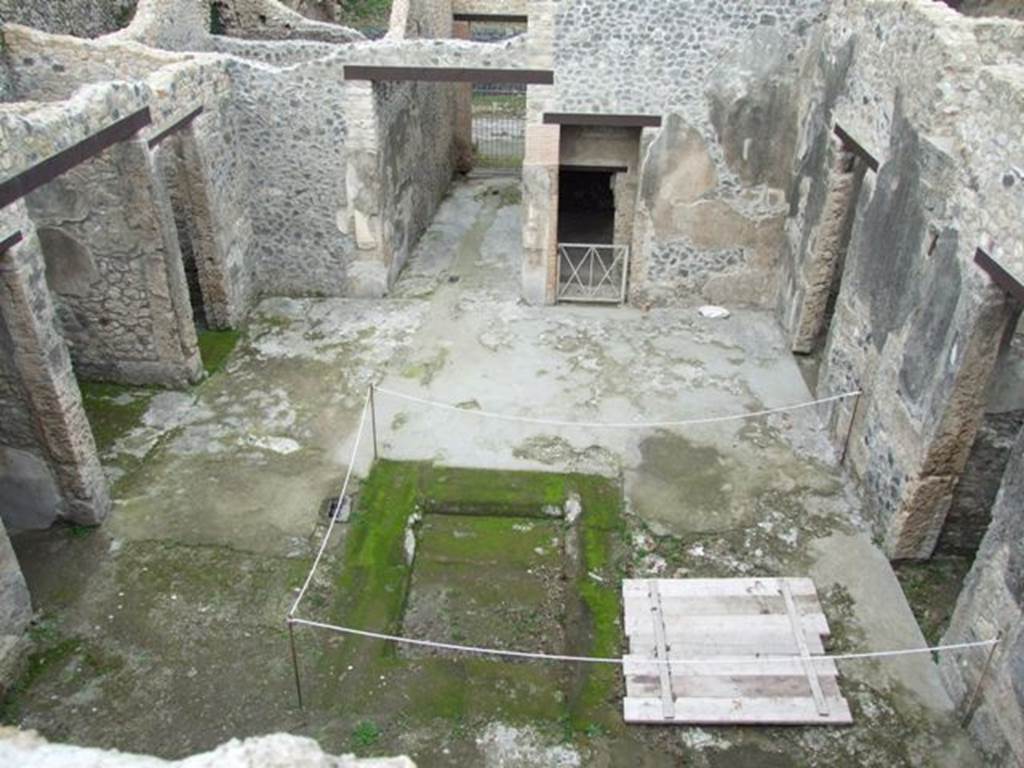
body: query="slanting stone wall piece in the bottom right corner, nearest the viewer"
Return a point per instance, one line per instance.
(993, 605)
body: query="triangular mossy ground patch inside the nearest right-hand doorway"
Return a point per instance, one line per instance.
(931, 589)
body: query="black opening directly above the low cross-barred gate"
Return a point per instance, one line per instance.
(586, 207)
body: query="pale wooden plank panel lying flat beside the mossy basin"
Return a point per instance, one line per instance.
(721, 652)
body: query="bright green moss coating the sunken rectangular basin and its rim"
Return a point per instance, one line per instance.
(410, 689)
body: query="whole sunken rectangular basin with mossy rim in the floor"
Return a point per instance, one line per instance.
(513, 561)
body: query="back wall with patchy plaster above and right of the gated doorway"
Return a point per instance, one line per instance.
(712, 198)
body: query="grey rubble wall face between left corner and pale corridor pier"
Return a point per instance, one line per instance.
(296, 196)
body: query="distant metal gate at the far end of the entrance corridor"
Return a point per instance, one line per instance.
(499, 126)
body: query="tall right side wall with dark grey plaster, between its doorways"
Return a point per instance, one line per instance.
(917, 324)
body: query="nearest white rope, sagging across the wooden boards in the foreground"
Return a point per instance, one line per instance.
(621, 662)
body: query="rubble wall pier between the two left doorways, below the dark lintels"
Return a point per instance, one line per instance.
(115, 269)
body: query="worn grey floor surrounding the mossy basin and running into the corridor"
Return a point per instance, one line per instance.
(172, 615)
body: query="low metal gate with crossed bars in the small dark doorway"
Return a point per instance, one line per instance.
(592, 273)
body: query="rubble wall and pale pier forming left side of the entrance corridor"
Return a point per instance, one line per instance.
(331, 212)
